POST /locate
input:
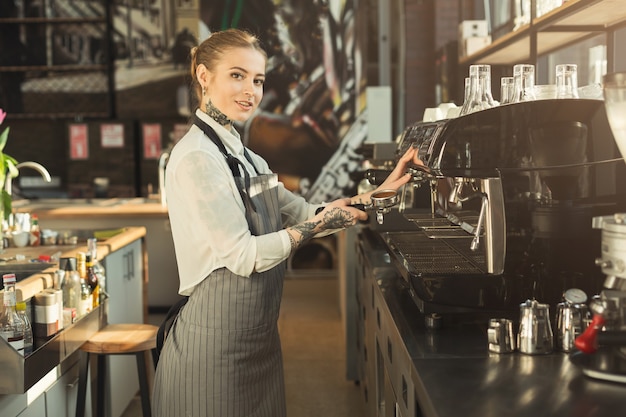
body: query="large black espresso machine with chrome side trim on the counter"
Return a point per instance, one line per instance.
(513, 190)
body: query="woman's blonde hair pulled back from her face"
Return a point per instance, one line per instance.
(212, 49)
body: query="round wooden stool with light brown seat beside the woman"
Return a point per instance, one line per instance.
(117, 339)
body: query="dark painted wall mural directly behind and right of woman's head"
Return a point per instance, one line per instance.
(306, 127)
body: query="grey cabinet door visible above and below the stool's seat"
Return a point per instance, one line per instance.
(124, 269)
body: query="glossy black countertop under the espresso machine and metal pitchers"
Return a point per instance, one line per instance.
(456, 375)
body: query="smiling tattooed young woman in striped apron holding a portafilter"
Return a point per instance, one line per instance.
(234, 226)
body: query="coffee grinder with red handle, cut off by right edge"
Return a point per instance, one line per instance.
(602, 347)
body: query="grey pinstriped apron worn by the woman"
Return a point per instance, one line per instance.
(222, 358)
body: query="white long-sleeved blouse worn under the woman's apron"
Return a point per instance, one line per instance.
(207, 214)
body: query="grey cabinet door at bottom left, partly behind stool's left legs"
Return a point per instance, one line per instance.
(62, 395)
